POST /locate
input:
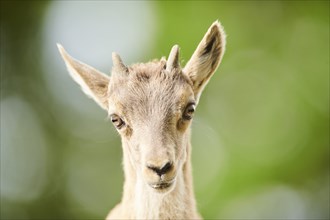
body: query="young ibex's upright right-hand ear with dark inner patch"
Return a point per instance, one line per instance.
(206, 58)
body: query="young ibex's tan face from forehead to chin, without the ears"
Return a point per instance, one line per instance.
(152, 105)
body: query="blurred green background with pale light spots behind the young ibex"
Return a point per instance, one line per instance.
(260, 135)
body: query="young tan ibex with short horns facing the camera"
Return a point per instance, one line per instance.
(152, 106)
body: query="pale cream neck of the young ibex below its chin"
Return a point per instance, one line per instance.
(143, 202)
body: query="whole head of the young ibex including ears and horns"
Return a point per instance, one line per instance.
(152, 105)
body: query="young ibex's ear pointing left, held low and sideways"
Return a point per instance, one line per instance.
(93, 82)
